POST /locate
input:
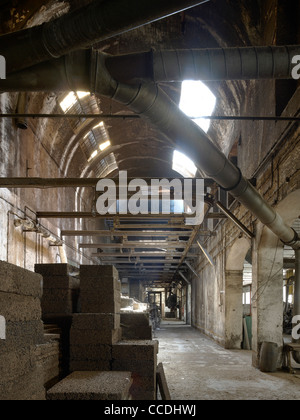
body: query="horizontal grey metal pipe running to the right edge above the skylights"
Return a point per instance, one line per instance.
(215, 64)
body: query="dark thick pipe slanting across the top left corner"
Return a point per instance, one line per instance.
(98, 21)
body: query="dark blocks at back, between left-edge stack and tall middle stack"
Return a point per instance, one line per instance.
(60, 290)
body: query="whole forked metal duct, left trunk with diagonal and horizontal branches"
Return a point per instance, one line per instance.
(88, 70)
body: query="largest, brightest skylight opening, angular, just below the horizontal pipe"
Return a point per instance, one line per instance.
(197, 101)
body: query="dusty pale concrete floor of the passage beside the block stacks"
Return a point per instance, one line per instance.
(197, 368)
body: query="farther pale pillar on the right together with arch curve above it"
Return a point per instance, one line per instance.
(233, 293)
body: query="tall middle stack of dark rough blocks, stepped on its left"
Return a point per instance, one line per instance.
(97, 328)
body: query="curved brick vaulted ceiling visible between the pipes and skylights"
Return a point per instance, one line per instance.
(138, 147)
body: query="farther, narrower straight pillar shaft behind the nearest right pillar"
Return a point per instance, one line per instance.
(234, 309)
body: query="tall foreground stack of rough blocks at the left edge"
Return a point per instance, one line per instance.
(20, 375)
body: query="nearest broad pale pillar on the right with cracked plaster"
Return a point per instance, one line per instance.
(267, 301)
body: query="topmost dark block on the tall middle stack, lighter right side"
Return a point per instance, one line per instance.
(100, 289)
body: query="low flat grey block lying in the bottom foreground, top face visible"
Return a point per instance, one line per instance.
(92, 386)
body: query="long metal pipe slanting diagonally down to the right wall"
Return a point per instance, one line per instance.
(153, 104)
